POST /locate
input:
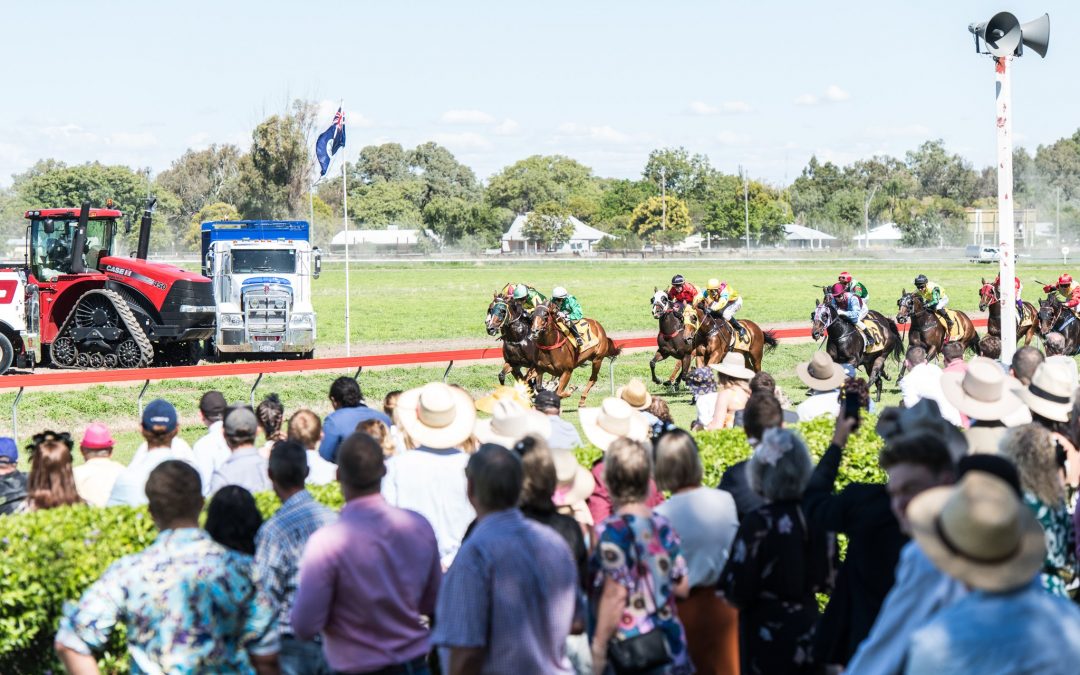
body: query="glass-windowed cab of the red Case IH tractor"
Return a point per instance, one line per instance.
(55, 235)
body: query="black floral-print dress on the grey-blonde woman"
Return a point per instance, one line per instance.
(777, 566)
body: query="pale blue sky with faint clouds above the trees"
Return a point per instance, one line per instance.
(763, 85)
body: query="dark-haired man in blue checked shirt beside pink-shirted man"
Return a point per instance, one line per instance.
(279, 547)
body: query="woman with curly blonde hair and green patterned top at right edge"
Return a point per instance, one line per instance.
(1038, 461)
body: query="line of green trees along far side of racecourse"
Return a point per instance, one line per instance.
(679, 193)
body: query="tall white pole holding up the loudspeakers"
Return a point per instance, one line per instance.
(1006, 225)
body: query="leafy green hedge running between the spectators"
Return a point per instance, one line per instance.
(50, 558)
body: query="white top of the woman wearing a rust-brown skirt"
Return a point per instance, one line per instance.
(707, 522)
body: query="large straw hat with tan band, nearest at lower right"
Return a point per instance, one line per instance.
(979, 533)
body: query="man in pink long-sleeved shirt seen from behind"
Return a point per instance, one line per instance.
(355, 589)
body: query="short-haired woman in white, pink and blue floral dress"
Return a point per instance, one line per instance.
(640, 568)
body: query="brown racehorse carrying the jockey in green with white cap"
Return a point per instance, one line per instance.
(559, 356)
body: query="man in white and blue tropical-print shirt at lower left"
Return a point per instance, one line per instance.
(183, 607)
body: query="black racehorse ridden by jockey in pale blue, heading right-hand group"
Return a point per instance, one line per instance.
(846, 346)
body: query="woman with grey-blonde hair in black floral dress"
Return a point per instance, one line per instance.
(778, 563)
